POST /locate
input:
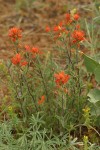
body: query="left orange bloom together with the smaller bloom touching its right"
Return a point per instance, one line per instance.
(17, 60)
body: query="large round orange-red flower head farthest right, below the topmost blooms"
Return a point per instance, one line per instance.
(78, 35)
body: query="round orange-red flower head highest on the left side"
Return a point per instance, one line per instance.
(15, 34)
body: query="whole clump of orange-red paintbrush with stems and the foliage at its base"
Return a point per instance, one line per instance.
(48, 93)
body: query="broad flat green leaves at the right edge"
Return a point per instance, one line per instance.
(93, 66)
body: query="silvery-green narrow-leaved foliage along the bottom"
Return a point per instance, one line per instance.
(35, 137)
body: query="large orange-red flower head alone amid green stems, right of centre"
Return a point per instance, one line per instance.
(61, 78)
